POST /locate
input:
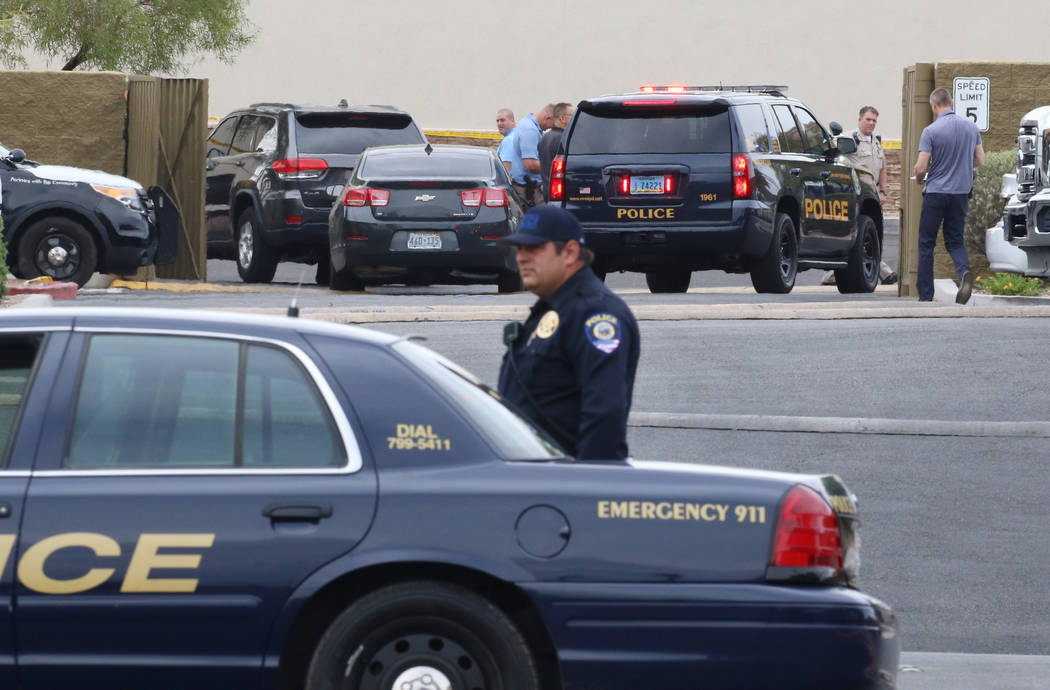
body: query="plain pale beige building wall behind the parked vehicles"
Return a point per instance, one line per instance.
(452, 66)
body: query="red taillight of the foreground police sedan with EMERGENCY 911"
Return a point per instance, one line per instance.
(808, 533)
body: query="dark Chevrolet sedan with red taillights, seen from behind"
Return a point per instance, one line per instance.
(424, 215)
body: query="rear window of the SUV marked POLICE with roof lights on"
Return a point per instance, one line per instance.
(660, 133)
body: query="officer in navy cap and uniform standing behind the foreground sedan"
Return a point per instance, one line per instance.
(571, 368)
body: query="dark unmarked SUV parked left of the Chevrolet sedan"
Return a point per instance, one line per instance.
(275, 171)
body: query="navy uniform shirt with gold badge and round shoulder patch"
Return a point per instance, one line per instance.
(577, 357)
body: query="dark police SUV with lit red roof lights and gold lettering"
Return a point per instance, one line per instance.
(674, 180)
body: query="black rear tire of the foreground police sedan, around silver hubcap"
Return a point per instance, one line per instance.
(423, 624)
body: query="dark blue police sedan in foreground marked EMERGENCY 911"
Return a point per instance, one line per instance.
(200, 500)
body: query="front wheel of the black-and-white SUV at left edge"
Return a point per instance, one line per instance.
(58, 247)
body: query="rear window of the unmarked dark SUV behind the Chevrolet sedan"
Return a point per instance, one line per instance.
(338, 133)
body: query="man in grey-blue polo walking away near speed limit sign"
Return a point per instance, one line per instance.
(949, 152)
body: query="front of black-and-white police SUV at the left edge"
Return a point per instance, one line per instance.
(69, 223)
